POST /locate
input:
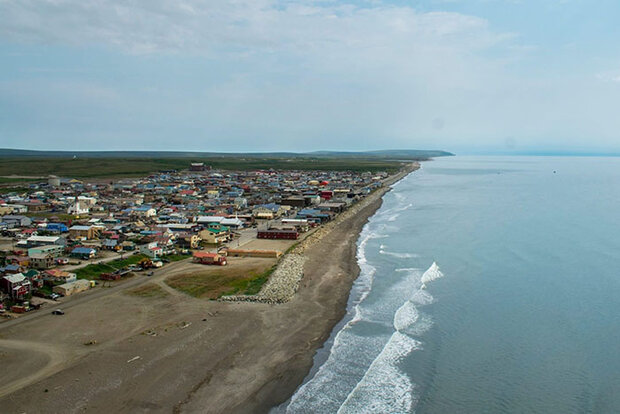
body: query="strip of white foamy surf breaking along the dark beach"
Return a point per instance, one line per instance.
(362, 369)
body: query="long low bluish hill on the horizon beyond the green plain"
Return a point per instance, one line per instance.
(380, 154)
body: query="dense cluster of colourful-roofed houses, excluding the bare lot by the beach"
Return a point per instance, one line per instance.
(61, 221)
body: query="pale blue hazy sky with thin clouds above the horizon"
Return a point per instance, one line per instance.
(468, 76)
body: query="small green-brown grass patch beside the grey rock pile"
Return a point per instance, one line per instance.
(224, 281)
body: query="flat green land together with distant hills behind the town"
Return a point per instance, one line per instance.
(131, 164)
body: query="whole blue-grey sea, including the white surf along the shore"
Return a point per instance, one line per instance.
(522, 313)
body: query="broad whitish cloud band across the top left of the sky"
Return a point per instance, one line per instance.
(238, 26)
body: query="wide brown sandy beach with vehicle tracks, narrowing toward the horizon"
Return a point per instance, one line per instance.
(175, 353)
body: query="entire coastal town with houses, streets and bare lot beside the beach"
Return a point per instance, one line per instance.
(64, 236)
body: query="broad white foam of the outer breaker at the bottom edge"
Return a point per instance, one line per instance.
(384, 388)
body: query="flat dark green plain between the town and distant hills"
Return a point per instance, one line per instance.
(131, 167)
